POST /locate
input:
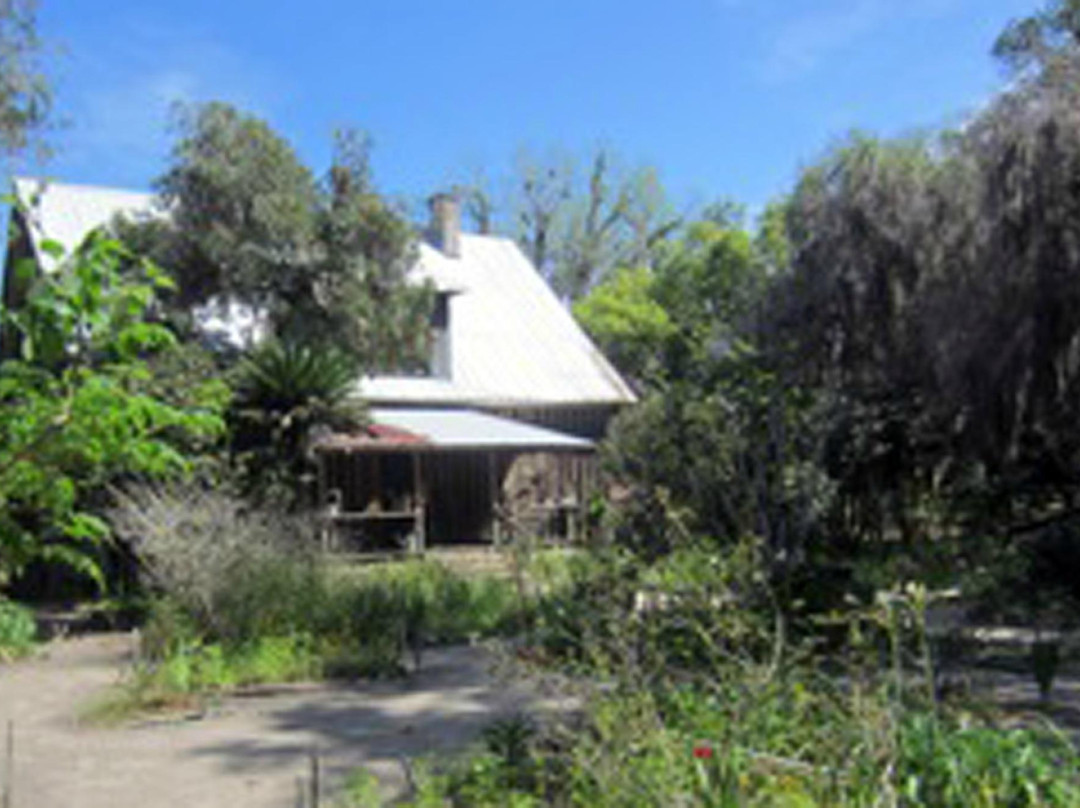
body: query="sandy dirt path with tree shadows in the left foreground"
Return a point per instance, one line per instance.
(249, 751)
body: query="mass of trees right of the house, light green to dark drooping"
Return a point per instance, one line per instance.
(883, 380)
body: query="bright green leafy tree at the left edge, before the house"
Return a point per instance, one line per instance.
(77, 412)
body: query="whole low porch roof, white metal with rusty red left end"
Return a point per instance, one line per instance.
(415, 430)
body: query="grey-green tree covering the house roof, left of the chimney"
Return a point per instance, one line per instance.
(323, 263)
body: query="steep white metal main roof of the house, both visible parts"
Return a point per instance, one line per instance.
(512, 343)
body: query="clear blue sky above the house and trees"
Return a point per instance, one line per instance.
(724, 98)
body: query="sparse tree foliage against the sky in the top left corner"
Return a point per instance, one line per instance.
(25, 98)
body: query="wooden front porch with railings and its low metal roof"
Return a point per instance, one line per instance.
(422, 478)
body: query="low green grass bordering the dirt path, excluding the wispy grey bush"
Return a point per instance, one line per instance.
(278, 622)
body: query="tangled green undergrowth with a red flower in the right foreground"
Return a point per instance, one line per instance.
(694, 691)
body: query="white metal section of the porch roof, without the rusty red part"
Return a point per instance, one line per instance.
(466, 429)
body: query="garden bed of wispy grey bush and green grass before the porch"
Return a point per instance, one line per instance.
(241, 601)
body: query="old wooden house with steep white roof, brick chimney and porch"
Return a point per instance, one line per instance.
(499, 436)
